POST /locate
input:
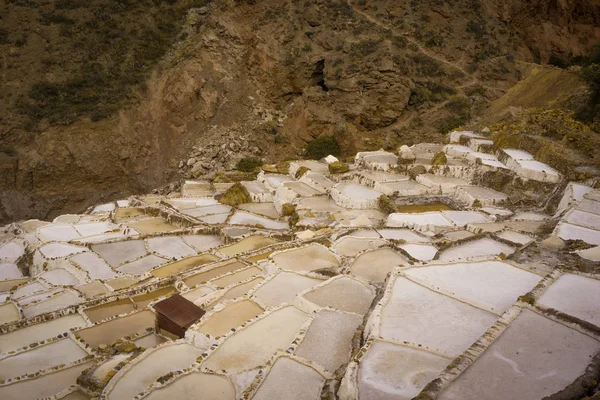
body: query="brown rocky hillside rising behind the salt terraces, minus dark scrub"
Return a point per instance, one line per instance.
(263, 78)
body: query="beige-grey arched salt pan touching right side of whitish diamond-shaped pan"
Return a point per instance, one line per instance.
(344, 294)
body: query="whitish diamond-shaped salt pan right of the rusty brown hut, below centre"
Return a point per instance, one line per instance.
(283, 288)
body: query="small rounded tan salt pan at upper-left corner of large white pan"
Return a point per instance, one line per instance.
(375, 265)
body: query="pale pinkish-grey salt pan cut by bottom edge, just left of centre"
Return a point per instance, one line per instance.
(306, 385)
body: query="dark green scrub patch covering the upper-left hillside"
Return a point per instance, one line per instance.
(111, 50)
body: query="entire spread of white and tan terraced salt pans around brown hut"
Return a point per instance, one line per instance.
(396, 279)
